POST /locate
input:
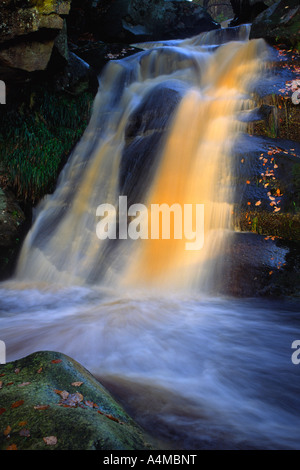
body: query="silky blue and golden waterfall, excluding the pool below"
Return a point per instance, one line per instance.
(161, 132)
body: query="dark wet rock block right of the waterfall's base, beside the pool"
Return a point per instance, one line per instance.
(259, 266)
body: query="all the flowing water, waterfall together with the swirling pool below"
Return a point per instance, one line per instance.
(204, 370)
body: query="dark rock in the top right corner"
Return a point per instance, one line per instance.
(280, 23)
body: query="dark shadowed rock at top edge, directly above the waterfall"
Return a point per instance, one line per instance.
(139, 20)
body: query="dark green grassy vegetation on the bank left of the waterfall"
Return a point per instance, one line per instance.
(37, 137)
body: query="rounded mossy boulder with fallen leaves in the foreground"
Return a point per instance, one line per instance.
(49, 401)
